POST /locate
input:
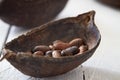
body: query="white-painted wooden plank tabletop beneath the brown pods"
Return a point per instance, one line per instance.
(103, 65)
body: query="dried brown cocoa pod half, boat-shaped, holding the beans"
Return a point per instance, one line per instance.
(17, 52)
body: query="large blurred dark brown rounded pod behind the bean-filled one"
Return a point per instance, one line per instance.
(30, 13)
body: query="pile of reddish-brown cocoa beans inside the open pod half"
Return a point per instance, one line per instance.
(60, 49)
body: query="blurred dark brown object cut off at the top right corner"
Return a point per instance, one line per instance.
(113, 3)
